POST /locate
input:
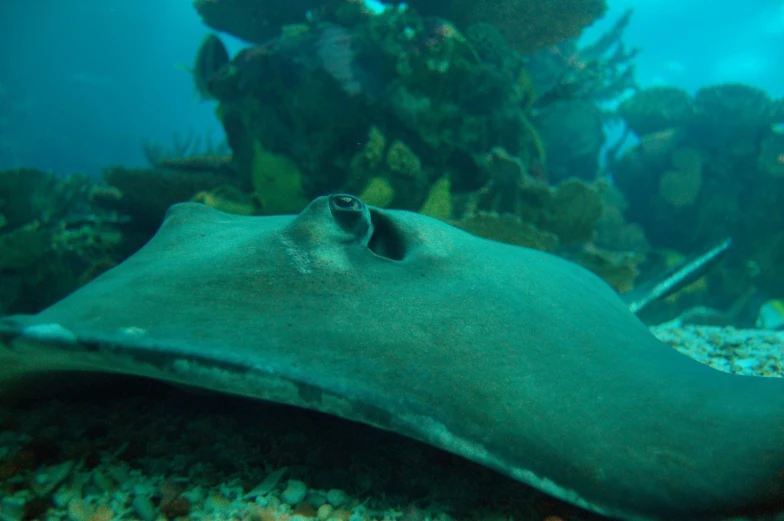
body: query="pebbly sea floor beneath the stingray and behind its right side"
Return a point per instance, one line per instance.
(136, 449)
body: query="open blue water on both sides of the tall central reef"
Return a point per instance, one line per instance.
(83, 82)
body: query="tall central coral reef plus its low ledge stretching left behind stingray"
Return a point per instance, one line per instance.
(404, 108)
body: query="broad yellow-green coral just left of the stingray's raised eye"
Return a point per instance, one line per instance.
(277, 182)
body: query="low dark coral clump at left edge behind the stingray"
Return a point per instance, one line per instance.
(52, 238)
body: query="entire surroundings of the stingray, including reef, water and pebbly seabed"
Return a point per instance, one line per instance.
(642, 140)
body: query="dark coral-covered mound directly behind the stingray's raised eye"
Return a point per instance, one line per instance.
(397, 99)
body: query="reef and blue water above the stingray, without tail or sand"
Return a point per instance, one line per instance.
(638, 134)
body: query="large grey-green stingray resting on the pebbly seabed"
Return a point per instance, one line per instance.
(510, 357)
